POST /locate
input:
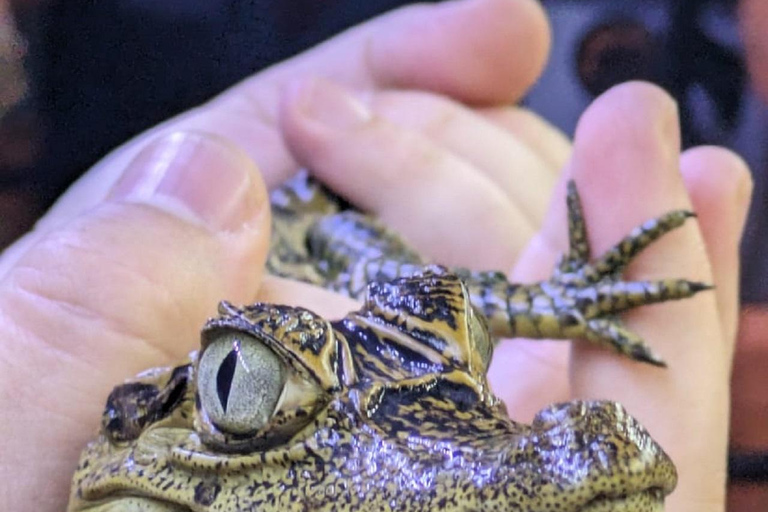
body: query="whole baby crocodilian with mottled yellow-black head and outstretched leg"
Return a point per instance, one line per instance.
(388, 408)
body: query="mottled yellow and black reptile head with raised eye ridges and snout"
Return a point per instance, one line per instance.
(386, 409)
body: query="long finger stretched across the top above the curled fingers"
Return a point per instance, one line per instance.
(419, 47)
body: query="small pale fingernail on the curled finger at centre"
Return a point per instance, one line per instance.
(329, 104)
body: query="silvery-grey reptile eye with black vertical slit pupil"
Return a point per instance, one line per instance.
(240, 382)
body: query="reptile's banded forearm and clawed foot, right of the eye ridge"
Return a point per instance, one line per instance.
(582, 299)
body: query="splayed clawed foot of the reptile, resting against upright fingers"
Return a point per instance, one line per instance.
(587, 297)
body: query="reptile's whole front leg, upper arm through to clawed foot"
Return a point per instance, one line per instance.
(582, 299)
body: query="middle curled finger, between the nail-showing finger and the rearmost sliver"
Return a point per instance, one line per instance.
(505, 160)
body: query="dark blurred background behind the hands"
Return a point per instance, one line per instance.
(79, 77)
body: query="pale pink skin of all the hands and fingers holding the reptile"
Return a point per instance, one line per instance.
(117, 278)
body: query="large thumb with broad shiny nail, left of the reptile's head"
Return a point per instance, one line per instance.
(124, 287)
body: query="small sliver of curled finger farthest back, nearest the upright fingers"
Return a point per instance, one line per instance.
(537, 134)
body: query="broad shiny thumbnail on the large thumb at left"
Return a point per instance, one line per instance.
(196, 176)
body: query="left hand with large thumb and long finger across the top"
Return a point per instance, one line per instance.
(121, 273)
